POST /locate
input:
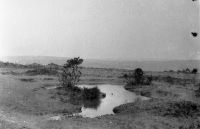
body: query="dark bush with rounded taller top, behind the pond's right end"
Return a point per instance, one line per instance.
(137, 78)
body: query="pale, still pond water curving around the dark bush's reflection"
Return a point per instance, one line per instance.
(115, 96)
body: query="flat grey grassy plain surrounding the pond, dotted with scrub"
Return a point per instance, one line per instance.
(30, 101)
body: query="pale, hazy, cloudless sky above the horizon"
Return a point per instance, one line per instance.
(100, 29)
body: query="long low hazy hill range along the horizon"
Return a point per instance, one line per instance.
(146, 65)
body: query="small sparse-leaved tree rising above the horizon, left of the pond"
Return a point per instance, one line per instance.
(71, 73)
